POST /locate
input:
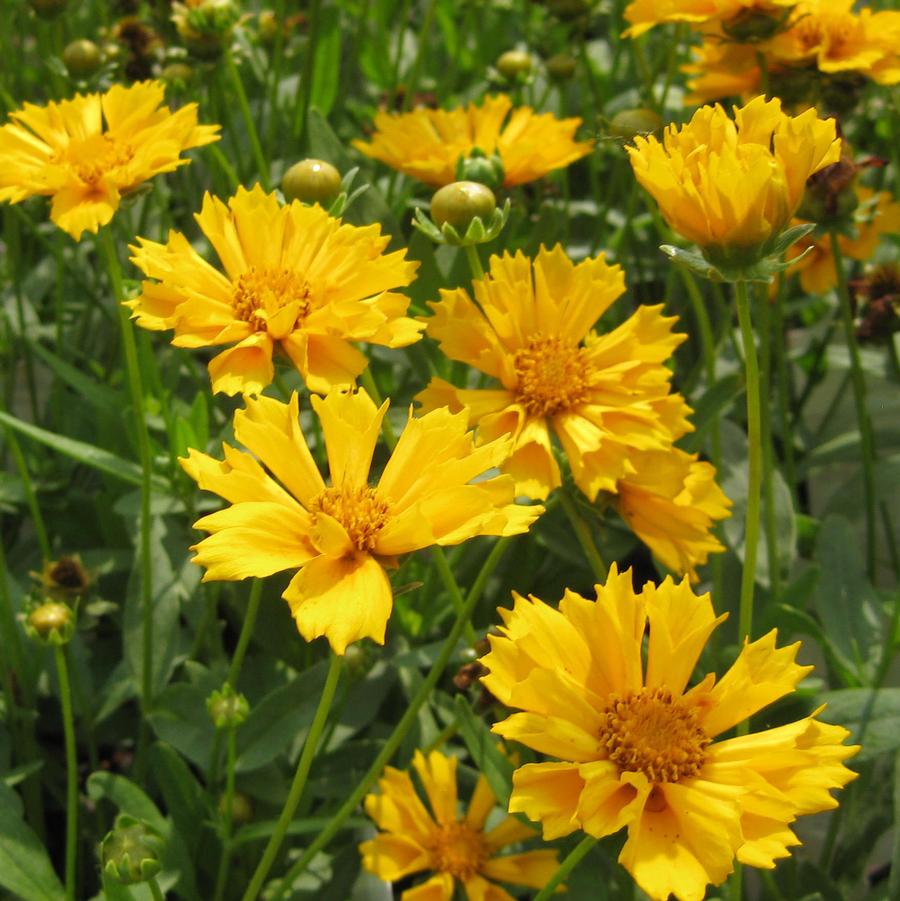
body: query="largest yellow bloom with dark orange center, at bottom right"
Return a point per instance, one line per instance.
(636, 749)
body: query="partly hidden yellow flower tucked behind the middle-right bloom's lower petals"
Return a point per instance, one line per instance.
(671, 502)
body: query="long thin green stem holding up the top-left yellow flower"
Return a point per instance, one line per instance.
(135, 387)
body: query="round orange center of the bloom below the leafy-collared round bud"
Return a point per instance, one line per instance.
(551, 375)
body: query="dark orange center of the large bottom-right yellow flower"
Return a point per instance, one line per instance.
(651, 732)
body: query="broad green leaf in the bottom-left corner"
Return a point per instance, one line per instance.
(25, 867)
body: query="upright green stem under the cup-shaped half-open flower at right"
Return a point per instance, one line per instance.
(754, 461)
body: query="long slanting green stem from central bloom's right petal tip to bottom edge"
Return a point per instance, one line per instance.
(396, 737)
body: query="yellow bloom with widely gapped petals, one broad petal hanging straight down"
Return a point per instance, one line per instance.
(340, 535)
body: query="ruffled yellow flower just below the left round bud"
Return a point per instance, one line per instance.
(294, 279)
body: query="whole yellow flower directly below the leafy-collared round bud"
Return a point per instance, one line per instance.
(603, 396)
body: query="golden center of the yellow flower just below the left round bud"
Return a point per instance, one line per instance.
(271, 300)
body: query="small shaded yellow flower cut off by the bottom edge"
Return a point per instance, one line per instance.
(457, 849)
